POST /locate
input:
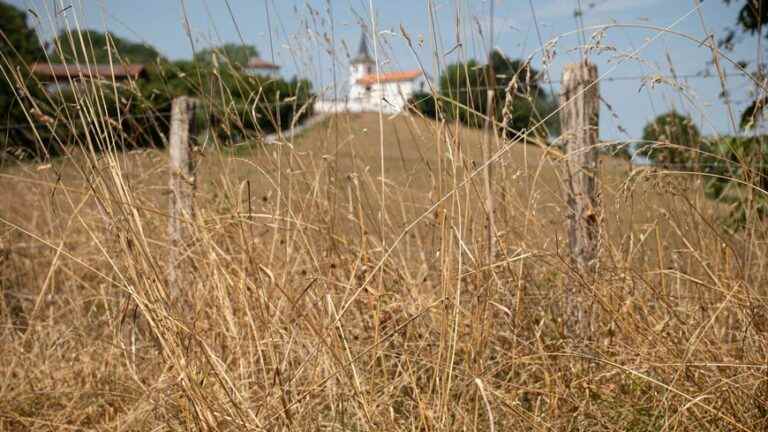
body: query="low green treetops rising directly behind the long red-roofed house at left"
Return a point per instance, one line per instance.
(99, 47)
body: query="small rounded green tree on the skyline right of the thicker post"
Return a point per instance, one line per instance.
(670, 139)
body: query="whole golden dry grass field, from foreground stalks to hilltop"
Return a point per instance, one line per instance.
(320, 294)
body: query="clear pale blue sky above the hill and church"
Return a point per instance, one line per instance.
(300, 31)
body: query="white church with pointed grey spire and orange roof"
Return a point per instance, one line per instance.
(372, 92)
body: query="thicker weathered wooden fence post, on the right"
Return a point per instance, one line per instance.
(580, 102)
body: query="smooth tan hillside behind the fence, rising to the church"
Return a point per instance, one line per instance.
(338, 165)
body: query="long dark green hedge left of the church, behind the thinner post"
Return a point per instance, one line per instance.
(137, 114)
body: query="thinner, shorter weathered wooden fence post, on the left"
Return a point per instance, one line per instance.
(182, 185)
